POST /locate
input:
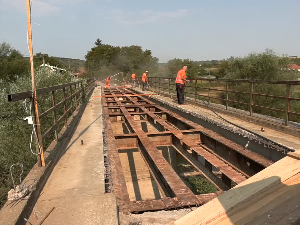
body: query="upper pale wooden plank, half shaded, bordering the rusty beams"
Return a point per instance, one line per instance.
(244, 192)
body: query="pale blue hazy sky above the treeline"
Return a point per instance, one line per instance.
(194, 29)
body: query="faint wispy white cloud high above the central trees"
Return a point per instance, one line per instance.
(145, 16)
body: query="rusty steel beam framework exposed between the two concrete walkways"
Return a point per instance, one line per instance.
(185, 136)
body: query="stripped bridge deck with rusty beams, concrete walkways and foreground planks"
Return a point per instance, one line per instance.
(136, 157)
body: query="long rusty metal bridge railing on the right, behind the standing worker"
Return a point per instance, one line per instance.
(251, 96)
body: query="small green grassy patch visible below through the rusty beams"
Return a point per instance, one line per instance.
(200, 185)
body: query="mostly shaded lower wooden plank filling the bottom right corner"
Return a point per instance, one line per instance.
(272, 206)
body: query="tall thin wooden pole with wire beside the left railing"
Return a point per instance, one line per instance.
(40, 152)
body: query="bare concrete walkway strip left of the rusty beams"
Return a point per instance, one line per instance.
(76, 185)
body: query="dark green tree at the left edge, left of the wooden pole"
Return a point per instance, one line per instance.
(12, 63)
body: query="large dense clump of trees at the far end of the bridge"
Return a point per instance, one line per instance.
(104, 60)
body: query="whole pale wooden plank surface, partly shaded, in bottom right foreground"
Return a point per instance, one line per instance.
(269, 197)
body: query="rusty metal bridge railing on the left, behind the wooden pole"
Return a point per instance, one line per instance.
(56, 104)
